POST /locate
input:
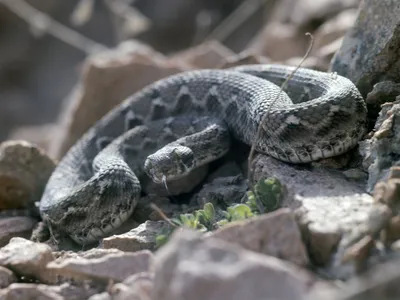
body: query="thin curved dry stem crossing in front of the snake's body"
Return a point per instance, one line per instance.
(264, 118)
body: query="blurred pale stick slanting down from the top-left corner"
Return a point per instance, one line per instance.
(41, 21)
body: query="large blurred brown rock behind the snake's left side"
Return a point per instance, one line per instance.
(107, 80)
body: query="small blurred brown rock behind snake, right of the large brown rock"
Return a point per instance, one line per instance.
(208, 55)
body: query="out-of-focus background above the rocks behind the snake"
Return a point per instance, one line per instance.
(43, 43)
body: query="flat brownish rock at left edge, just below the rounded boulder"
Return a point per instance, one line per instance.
(15, 227)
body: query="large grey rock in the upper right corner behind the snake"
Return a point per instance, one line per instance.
(369, 51)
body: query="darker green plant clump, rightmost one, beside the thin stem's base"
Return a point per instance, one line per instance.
(267, 196)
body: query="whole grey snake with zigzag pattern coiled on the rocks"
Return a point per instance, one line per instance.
(176, 125)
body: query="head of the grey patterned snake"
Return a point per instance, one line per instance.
(169, 163)
